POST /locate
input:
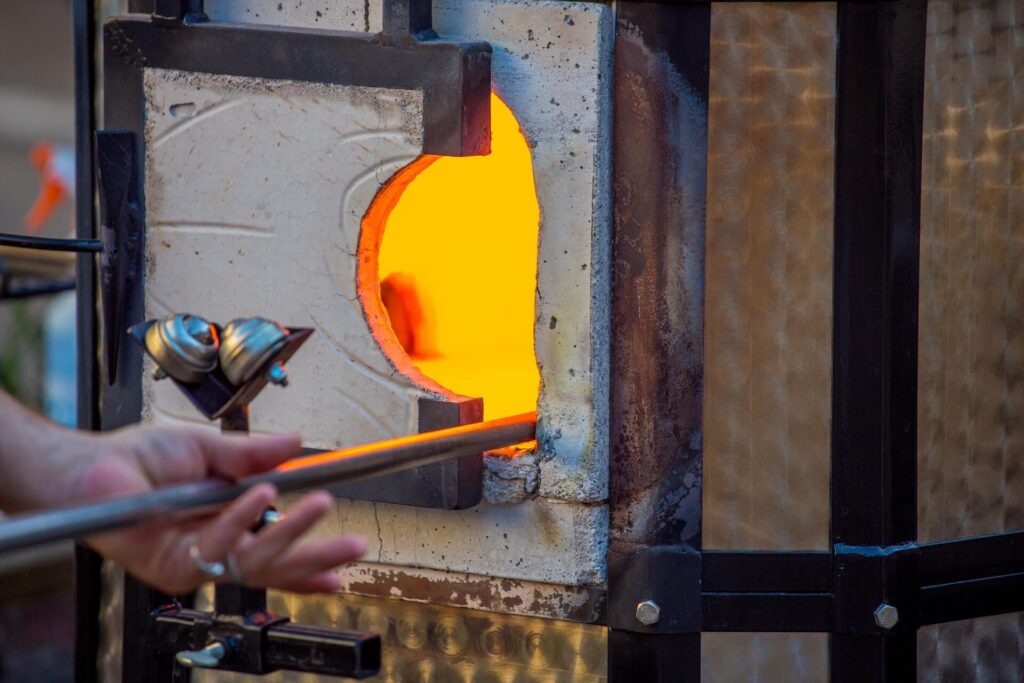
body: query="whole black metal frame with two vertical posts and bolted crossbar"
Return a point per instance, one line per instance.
(875, 559)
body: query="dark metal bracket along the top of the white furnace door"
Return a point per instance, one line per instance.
(454, 76)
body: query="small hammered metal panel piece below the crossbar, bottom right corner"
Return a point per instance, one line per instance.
(978, 651)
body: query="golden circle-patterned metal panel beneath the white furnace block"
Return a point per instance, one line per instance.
(449, 646)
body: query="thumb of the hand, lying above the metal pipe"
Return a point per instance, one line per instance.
(235, 457)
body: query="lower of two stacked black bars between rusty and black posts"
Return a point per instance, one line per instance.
(767, 612)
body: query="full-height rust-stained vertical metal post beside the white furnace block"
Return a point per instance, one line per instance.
(661, 84)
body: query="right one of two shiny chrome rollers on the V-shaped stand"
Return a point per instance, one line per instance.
(246, 346)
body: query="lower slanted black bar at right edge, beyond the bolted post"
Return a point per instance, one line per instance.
(972, 599)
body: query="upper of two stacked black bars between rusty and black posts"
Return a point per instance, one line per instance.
(742, 572)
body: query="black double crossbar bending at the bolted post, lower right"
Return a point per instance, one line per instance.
(861, 590)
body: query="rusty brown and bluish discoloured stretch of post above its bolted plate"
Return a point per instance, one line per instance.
(658, 295)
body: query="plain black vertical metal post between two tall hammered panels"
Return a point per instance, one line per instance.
(880, 89)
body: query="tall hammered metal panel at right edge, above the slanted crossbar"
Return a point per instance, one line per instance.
(971, 346)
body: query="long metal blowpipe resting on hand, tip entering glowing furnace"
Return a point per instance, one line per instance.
(195, 499)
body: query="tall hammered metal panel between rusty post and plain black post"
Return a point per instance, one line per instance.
(770, 277)
